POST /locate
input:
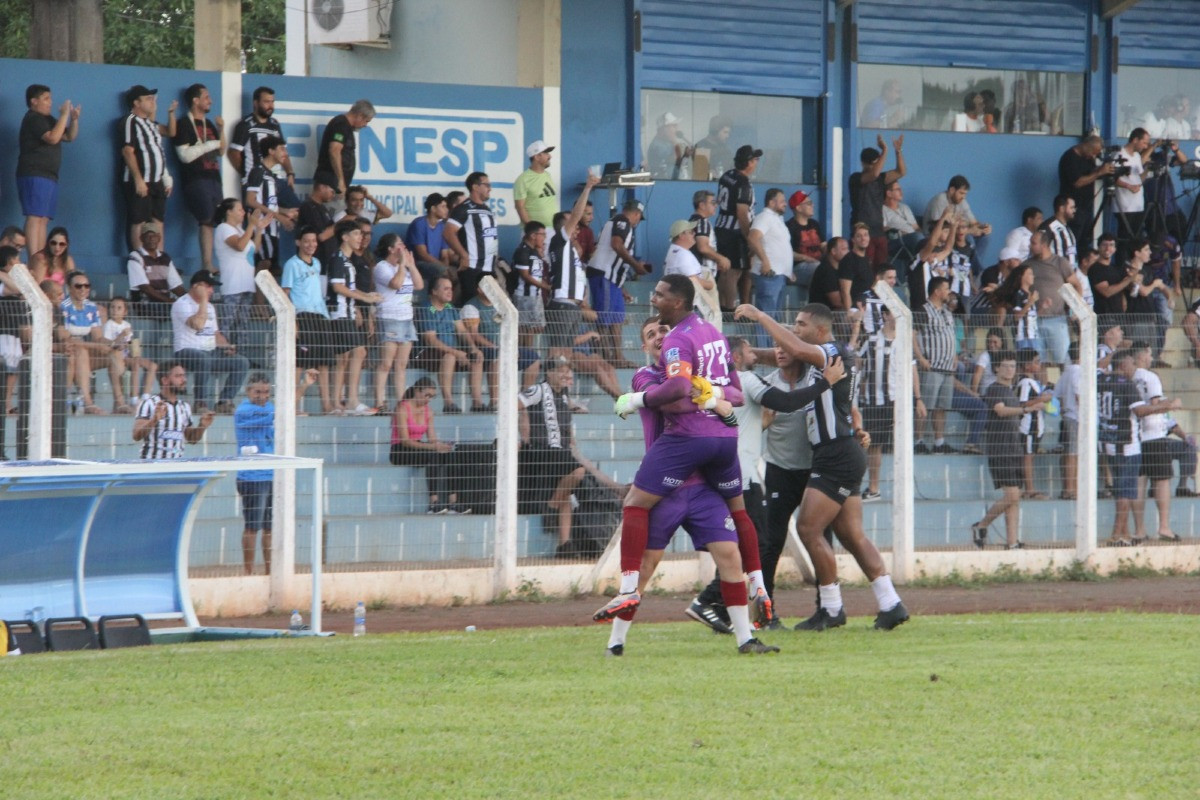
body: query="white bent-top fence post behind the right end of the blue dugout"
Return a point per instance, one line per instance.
(284, 542)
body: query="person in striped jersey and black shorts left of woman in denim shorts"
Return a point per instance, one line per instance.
(346, 300)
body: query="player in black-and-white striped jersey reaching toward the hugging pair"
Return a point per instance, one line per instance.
(831, 497)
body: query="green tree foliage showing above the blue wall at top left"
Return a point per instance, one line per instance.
(161, 33)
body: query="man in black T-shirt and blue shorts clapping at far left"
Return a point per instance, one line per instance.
(40, 159)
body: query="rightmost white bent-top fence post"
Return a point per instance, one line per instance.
(1089, 426)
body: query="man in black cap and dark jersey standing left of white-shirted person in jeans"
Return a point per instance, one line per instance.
(735, 202)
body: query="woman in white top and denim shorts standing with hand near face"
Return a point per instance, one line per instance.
(397, 279)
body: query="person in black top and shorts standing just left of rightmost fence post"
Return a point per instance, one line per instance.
(1003, 444)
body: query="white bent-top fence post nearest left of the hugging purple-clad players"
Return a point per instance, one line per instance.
(506, 557)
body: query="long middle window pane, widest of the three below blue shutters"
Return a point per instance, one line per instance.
(970, 101)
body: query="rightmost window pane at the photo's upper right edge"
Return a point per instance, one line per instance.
(1160, 100)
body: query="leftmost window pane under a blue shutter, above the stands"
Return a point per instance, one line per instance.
(694, 135)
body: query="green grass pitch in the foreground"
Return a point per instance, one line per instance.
(1054, 706)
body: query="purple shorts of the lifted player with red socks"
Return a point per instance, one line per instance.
(673, 459)
